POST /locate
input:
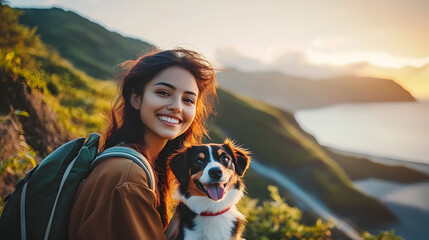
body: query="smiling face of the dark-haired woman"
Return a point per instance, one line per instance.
(168, 105)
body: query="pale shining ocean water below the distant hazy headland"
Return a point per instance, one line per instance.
(395, 130)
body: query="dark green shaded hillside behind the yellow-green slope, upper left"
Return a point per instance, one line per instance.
(80, 40)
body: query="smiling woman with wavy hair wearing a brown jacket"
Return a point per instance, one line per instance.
(165, 99)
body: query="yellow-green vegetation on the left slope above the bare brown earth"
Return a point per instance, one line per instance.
(78, 99)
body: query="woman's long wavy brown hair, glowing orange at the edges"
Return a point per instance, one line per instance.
(127, 128)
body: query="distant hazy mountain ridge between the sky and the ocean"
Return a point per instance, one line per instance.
(296, 93)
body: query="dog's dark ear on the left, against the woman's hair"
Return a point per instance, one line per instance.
(178, 163)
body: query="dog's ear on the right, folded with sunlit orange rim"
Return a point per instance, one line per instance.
(240, 155)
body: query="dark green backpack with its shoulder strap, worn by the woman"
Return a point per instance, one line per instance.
(40, 206)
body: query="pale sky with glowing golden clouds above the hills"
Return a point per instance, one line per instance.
(313, 39)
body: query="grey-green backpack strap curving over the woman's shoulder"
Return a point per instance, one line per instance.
(129, 153)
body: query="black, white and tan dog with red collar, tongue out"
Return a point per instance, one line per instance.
(209, 185)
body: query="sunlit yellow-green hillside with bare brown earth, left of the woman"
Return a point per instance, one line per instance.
(33, 75)
